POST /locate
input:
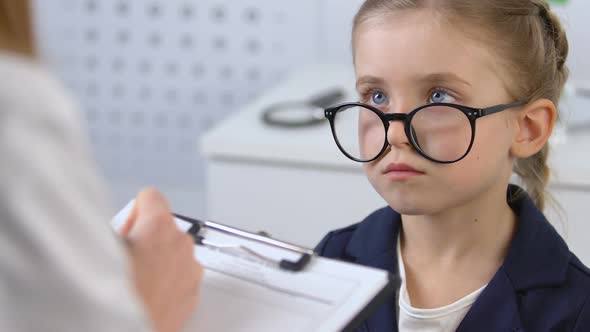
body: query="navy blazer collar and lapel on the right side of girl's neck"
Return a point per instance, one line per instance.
(537, 257)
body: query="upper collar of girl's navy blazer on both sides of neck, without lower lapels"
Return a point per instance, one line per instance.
(535, 247)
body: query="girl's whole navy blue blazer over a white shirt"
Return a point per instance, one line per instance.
(541, 286)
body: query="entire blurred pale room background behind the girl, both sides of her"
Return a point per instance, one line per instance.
(172, 91)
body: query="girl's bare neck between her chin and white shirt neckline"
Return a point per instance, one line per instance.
(452, 254)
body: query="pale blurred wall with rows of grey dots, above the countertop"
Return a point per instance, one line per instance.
(152, 75)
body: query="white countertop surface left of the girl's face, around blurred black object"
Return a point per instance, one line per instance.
(244, 136)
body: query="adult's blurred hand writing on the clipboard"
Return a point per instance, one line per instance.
(165, 273)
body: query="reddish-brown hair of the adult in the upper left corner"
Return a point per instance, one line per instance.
(16, 30)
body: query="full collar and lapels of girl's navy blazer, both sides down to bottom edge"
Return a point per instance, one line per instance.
(537, 257)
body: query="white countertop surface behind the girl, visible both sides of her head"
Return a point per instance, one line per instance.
(243, 136)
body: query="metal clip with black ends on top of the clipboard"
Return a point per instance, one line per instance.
(285, 264)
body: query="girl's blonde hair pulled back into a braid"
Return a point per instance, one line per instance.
(530, 40)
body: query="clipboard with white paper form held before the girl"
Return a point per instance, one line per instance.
(256, 283)
